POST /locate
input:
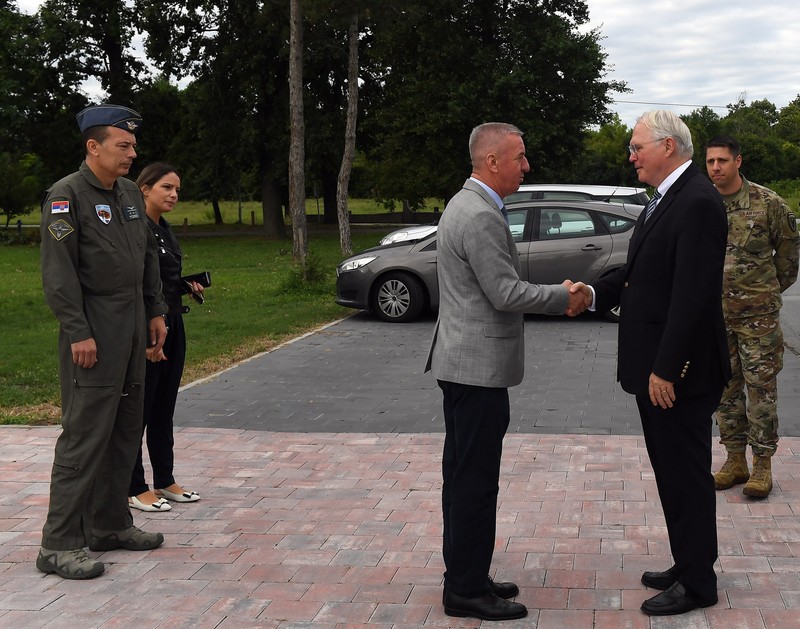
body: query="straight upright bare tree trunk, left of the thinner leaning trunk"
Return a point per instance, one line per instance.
(297, 184)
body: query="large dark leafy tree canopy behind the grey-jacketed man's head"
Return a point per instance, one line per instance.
(451, 65)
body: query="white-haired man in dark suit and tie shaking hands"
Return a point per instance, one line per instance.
(672, 350)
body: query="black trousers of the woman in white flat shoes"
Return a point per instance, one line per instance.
(162, 381)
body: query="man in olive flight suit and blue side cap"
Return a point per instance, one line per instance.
(101, 280)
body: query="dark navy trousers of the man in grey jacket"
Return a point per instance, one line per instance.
(476, 420)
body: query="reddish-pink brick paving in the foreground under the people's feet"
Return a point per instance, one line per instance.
(334, 530)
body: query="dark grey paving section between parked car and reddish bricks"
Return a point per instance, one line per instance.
(363, 375)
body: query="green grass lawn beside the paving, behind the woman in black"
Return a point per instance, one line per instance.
(256, 301)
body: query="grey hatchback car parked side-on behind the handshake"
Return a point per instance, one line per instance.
(556, 240)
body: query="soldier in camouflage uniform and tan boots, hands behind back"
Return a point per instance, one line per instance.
(761, 262)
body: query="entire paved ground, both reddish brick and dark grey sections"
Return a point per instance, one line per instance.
(318, 464)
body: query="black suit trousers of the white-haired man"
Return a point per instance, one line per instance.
(678, 443)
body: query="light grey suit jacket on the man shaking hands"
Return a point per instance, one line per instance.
(478, 339)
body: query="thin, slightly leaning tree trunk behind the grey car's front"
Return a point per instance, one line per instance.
(349, 140)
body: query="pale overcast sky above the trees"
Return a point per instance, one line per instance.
(683, 54)
